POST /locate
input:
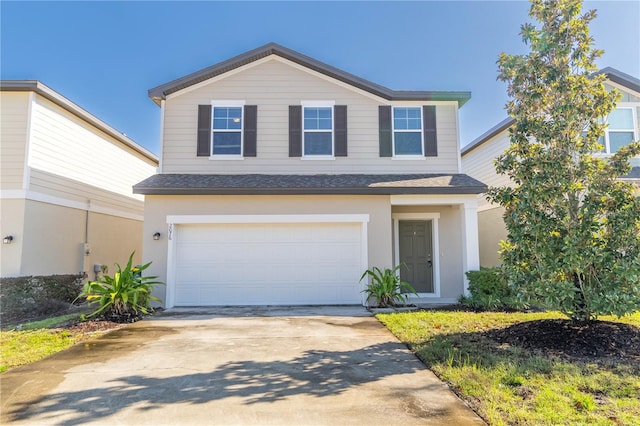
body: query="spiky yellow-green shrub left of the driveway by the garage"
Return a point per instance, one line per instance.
(123, 296)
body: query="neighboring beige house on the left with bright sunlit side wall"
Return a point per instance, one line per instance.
(66, 185)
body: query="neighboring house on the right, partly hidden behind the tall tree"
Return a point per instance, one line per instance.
(479, 155)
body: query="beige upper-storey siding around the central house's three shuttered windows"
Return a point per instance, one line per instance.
(273, 85)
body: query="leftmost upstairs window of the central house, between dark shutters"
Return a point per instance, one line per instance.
(227, 130)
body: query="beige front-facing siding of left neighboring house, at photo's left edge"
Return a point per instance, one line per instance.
(14, 125)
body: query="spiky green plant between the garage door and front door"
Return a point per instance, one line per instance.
(386, 288)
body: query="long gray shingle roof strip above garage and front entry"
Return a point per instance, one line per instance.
(190, 184)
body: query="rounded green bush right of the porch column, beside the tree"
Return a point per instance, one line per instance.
(490, 291)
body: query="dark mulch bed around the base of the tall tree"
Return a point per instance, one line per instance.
(586, 341)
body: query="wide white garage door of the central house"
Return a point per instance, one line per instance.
(267, 264)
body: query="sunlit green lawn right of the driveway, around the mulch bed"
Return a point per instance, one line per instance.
(510, 386)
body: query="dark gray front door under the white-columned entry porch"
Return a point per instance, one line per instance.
(416, 254)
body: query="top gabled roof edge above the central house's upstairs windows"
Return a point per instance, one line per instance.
(161, 92)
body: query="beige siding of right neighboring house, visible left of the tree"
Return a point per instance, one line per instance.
(478, 163)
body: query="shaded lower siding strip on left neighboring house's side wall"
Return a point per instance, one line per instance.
(69, 190)
